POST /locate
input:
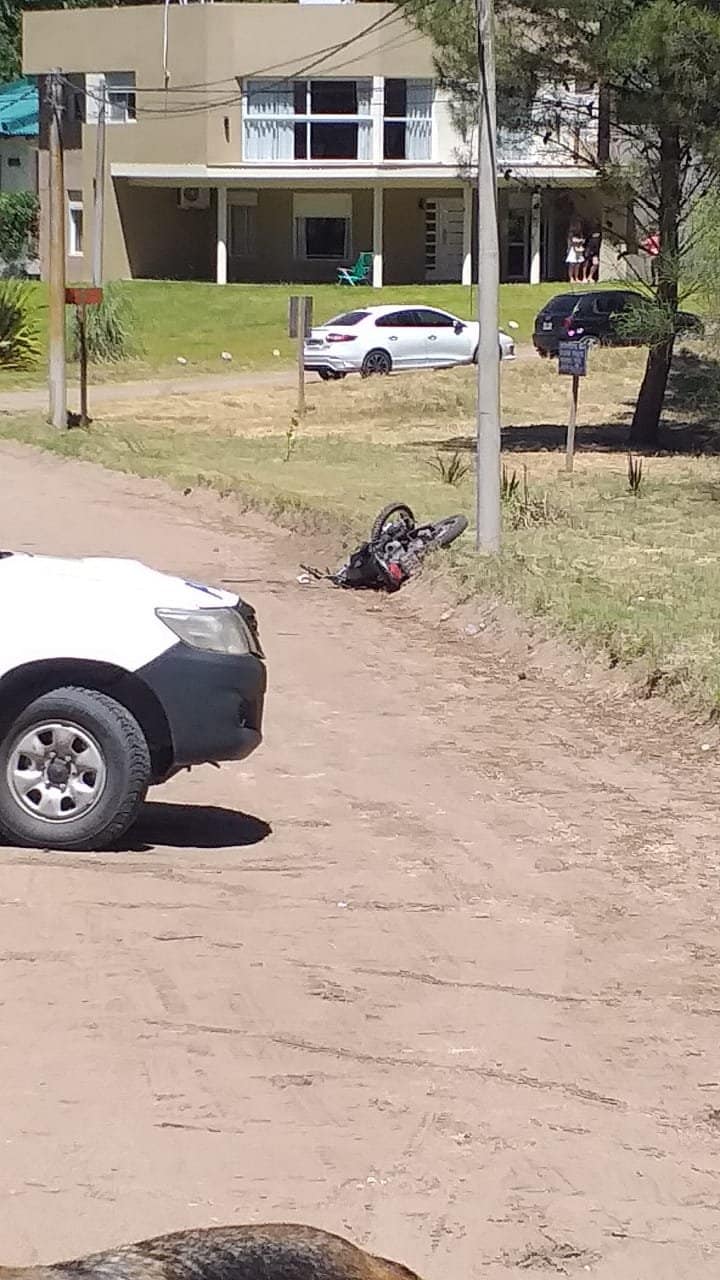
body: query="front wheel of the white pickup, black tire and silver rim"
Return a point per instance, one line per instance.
(75, 770)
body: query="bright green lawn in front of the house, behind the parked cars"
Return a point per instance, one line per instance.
(199, 322)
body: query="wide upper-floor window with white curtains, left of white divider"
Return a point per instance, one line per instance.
(308, 120)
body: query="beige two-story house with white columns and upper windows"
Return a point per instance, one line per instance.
(272, 143)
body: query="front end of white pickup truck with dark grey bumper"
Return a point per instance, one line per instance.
(113, 678)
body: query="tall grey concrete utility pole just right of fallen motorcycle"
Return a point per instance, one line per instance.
(489, 508)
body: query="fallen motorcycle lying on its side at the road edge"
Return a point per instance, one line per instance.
(394, 551)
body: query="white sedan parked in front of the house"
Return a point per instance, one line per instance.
(382, 340)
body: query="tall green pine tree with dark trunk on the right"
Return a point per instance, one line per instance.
(659, 66)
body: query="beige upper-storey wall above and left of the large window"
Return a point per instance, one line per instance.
(220, 44)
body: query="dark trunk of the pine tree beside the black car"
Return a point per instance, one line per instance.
(645, 432)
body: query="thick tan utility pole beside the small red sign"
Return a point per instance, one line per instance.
(57, 258)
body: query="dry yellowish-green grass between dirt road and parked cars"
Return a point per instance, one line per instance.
(635, 578)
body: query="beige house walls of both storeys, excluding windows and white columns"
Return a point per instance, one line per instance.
(145, 232)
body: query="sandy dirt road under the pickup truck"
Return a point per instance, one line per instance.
(449, 984)
